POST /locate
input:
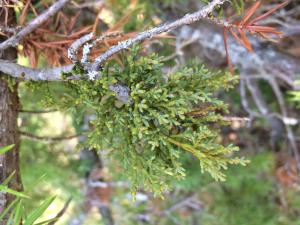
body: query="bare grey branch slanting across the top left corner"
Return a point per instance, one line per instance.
(15, 39)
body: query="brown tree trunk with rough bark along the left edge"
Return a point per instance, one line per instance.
(9, 105)
